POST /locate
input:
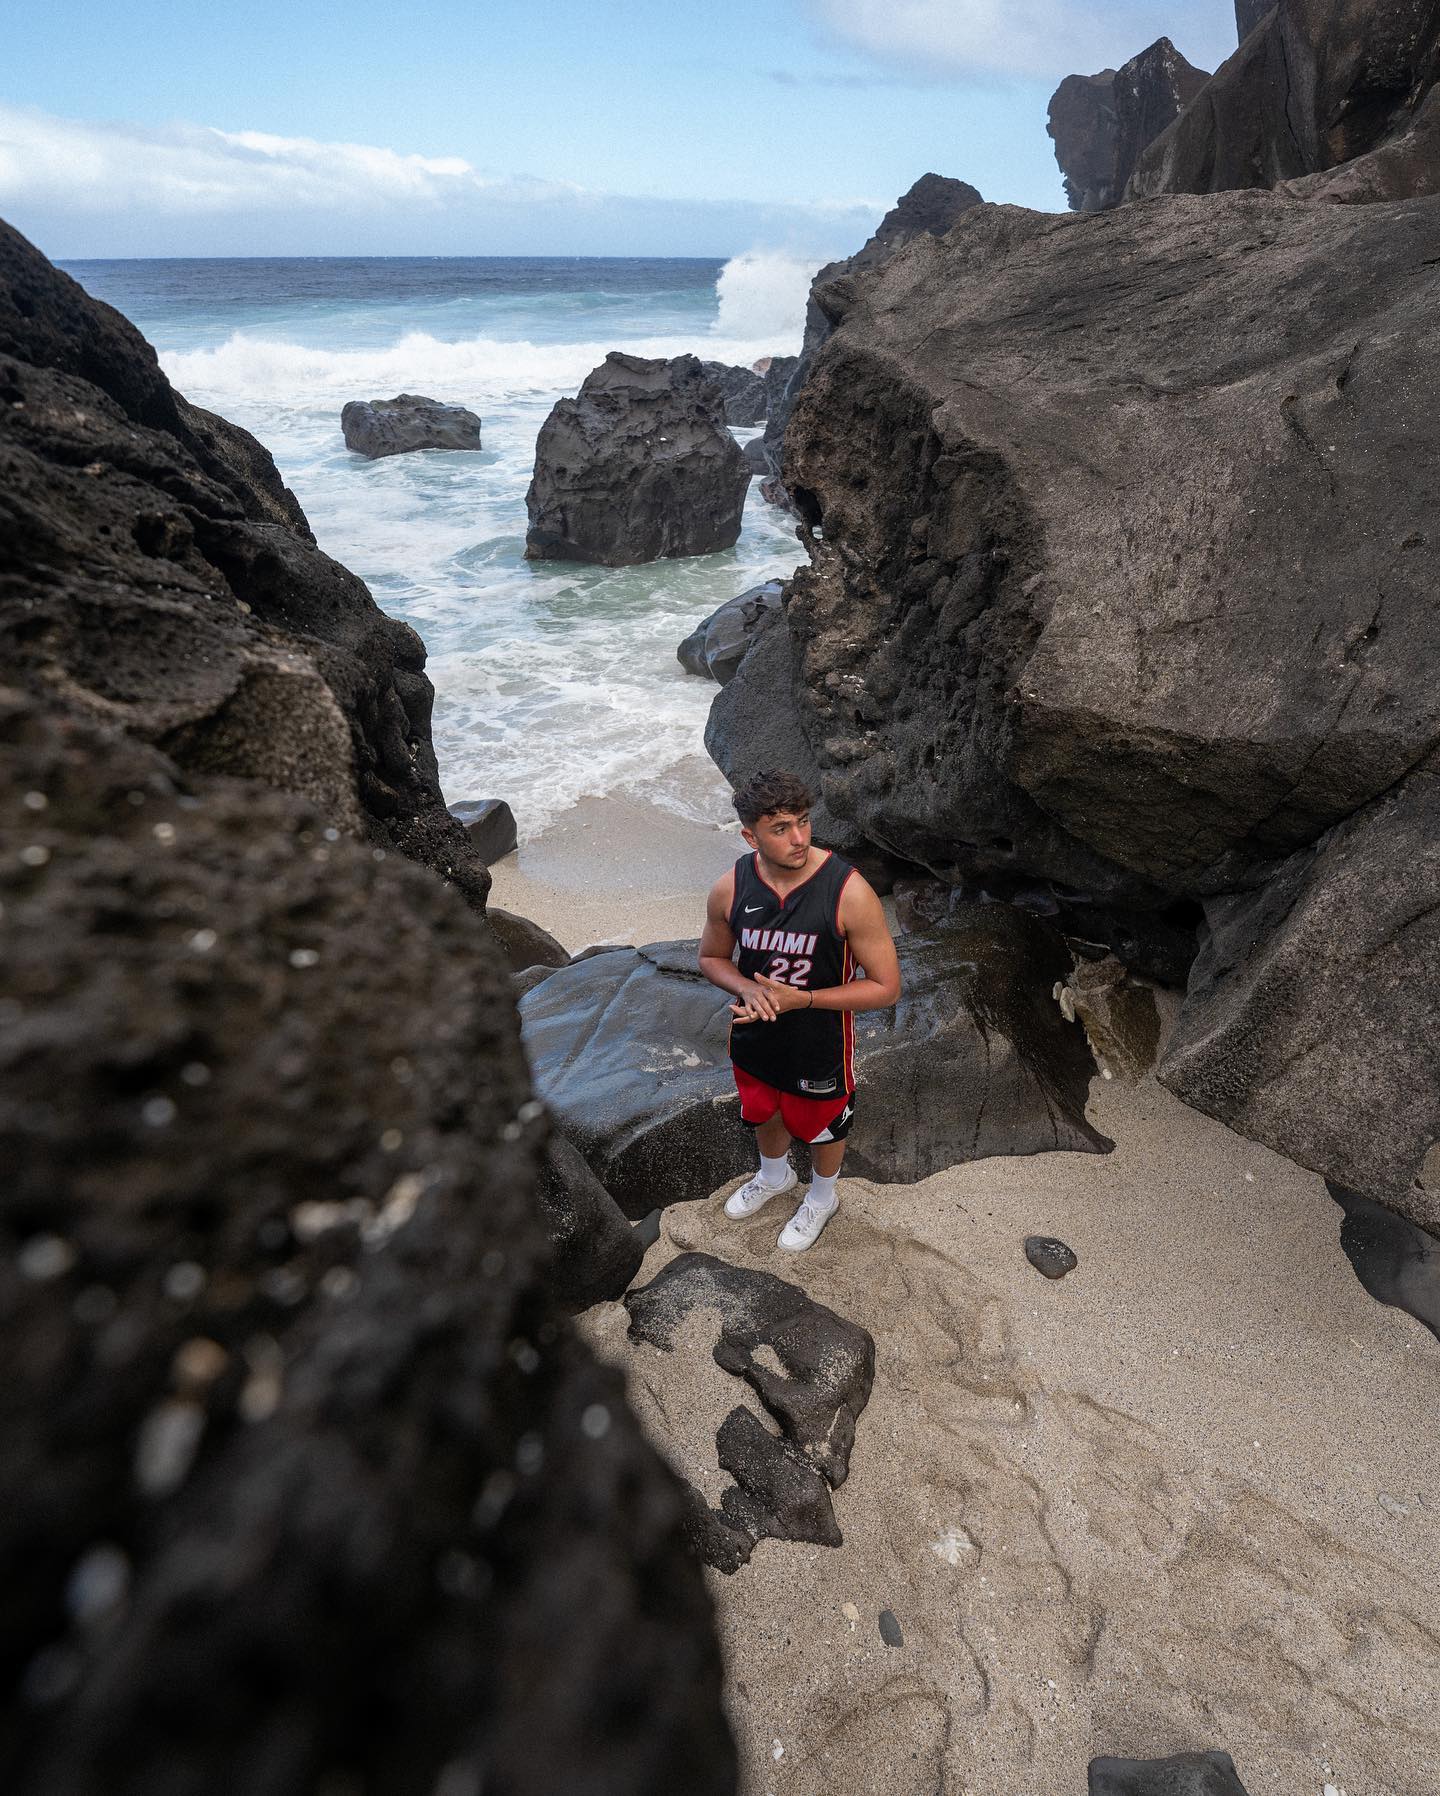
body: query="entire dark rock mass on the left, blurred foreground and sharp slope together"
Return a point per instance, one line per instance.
(288, 1400)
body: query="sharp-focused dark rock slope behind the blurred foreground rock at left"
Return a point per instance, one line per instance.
(157, 576)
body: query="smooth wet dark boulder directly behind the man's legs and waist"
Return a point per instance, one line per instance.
(629, 1050)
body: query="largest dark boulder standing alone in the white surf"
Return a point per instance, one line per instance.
(635, 468)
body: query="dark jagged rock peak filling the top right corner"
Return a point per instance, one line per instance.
(1315, 85)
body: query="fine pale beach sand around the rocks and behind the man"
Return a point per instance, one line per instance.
(1186, 1499)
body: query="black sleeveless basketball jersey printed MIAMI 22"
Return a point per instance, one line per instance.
(796, 940)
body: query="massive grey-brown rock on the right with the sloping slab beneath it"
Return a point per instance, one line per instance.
(1121, 586)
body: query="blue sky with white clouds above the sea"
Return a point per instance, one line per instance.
(536, 127)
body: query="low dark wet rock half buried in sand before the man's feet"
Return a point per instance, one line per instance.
(811, 1369)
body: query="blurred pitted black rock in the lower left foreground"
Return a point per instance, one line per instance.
(304, 1474)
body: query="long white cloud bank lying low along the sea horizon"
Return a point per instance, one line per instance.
(188, 189)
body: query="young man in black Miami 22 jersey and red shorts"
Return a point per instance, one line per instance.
(814, 949)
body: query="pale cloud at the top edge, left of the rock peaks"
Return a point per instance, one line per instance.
(1046, 39)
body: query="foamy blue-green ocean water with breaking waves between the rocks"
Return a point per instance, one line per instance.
(554, 682)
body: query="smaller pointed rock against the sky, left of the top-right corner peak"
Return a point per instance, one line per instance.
(1103, 123)
